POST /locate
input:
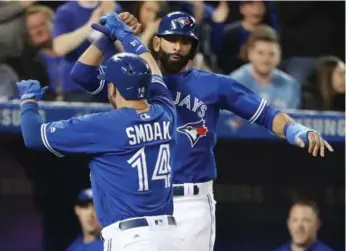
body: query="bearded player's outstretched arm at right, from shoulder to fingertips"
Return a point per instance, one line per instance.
(235, 97)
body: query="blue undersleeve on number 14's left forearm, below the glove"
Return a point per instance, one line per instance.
(31, 121)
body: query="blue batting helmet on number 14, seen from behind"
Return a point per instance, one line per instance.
(130, 74)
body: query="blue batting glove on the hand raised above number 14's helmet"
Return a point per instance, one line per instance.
(112, 26)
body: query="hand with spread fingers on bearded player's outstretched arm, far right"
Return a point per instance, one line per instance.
(316, 144)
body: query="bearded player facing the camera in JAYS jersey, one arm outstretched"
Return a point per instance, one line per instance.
(199, 97)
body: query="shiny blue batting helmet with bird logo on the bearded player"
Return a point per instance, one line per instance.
(179, 23)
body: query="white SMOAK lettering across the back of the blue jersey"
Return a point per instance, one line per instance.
(148, 132)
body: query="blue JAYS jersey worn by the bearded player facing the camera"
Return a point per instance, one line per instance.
(199, 96)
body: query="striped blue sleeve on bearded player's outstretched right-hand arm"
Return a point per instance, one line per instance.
(237, 98)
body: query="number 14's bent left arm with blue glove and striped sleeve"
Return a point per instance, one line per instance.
(75, 135)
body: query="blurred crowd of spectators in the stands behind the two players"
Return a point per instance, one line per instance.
(290, 53)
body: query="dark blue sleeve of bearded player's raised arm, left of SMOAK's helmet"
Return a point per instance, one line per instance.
(87, 77)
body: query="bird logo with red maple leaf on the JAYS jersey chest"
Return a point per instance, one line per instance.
(194, 131)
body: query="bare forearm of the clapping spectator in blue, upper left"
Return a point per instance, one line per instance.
(65, 43)
